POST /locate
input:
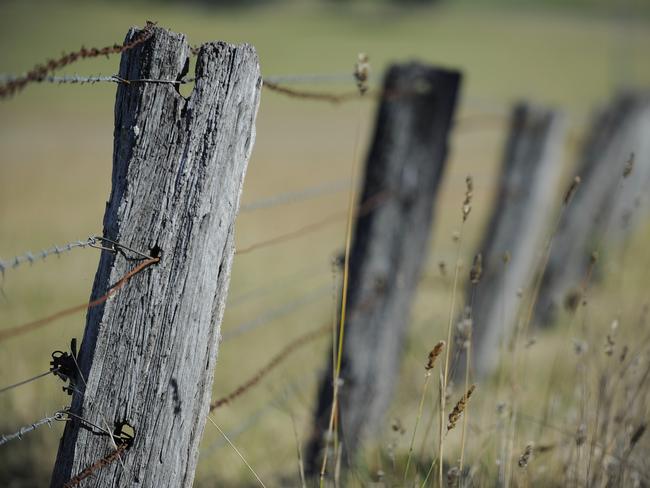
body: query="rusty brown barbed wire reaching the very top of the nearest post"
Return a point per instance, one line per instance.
(40, 71)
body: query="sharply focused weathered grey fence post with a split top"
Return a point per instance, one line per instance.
(148, 353)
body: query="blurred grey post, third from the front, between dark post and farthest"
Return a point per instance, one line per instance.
(514, 238)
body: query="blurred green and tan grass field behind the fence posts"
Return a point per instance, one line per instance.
(55, 166)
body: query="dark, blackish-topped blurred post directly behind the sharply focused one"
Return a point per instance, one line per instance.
(403, 171)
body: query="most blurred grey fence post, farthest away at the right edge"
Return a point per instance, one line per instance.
(605, 205)
